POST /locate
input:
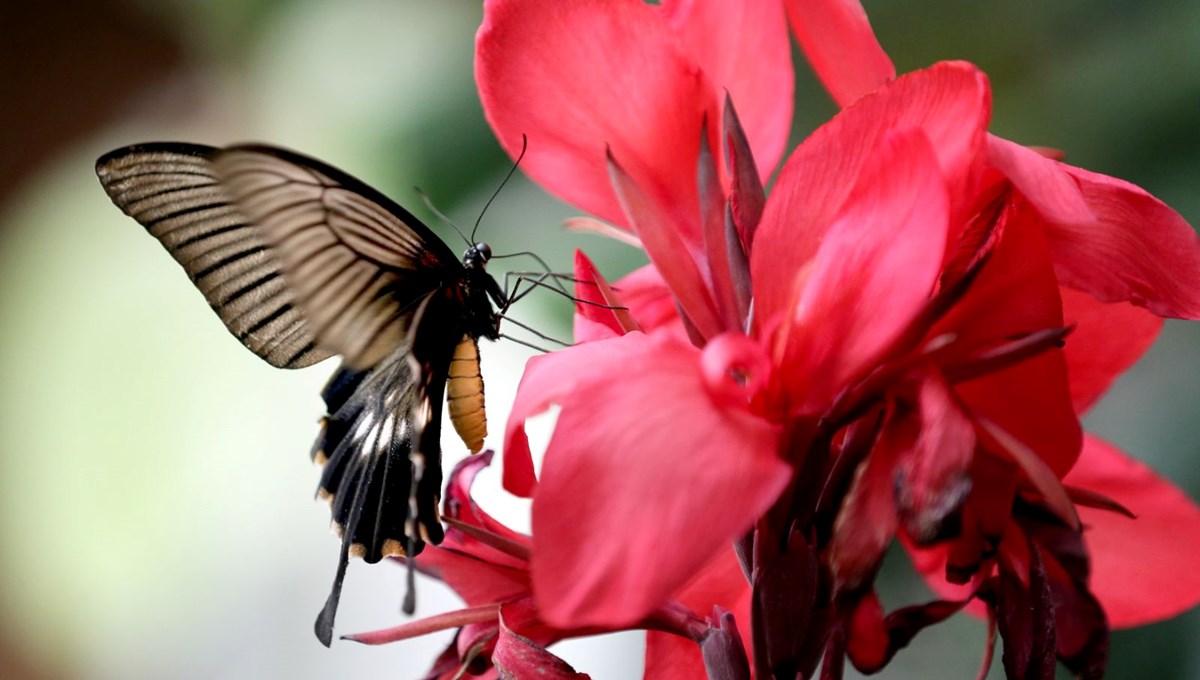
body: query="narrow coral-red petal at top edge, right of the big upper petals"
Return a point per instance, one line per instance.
(839, 43)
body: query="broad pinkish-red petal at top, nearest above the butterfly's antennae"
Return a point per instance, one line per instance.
(584, 76)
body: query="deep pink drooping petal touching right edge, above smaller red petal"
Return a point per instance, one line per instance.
(1137, 249)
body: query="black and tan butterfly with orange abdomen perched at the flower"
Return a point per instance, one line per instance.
(302, 262)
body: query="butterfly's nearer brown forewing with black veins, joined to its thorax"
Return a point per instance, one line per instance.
(358, 263)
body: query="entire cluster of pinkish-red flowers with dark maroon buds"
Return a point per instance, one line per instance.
(896, 345)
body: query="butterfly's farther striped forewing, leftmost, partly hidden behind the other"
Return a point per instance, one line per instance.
(175, 192)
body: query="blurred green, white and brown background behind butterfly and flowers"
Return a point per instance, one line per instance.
(155, 509)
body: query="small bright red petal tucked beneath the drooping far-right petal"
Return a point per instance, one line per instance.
(1096, 354)
